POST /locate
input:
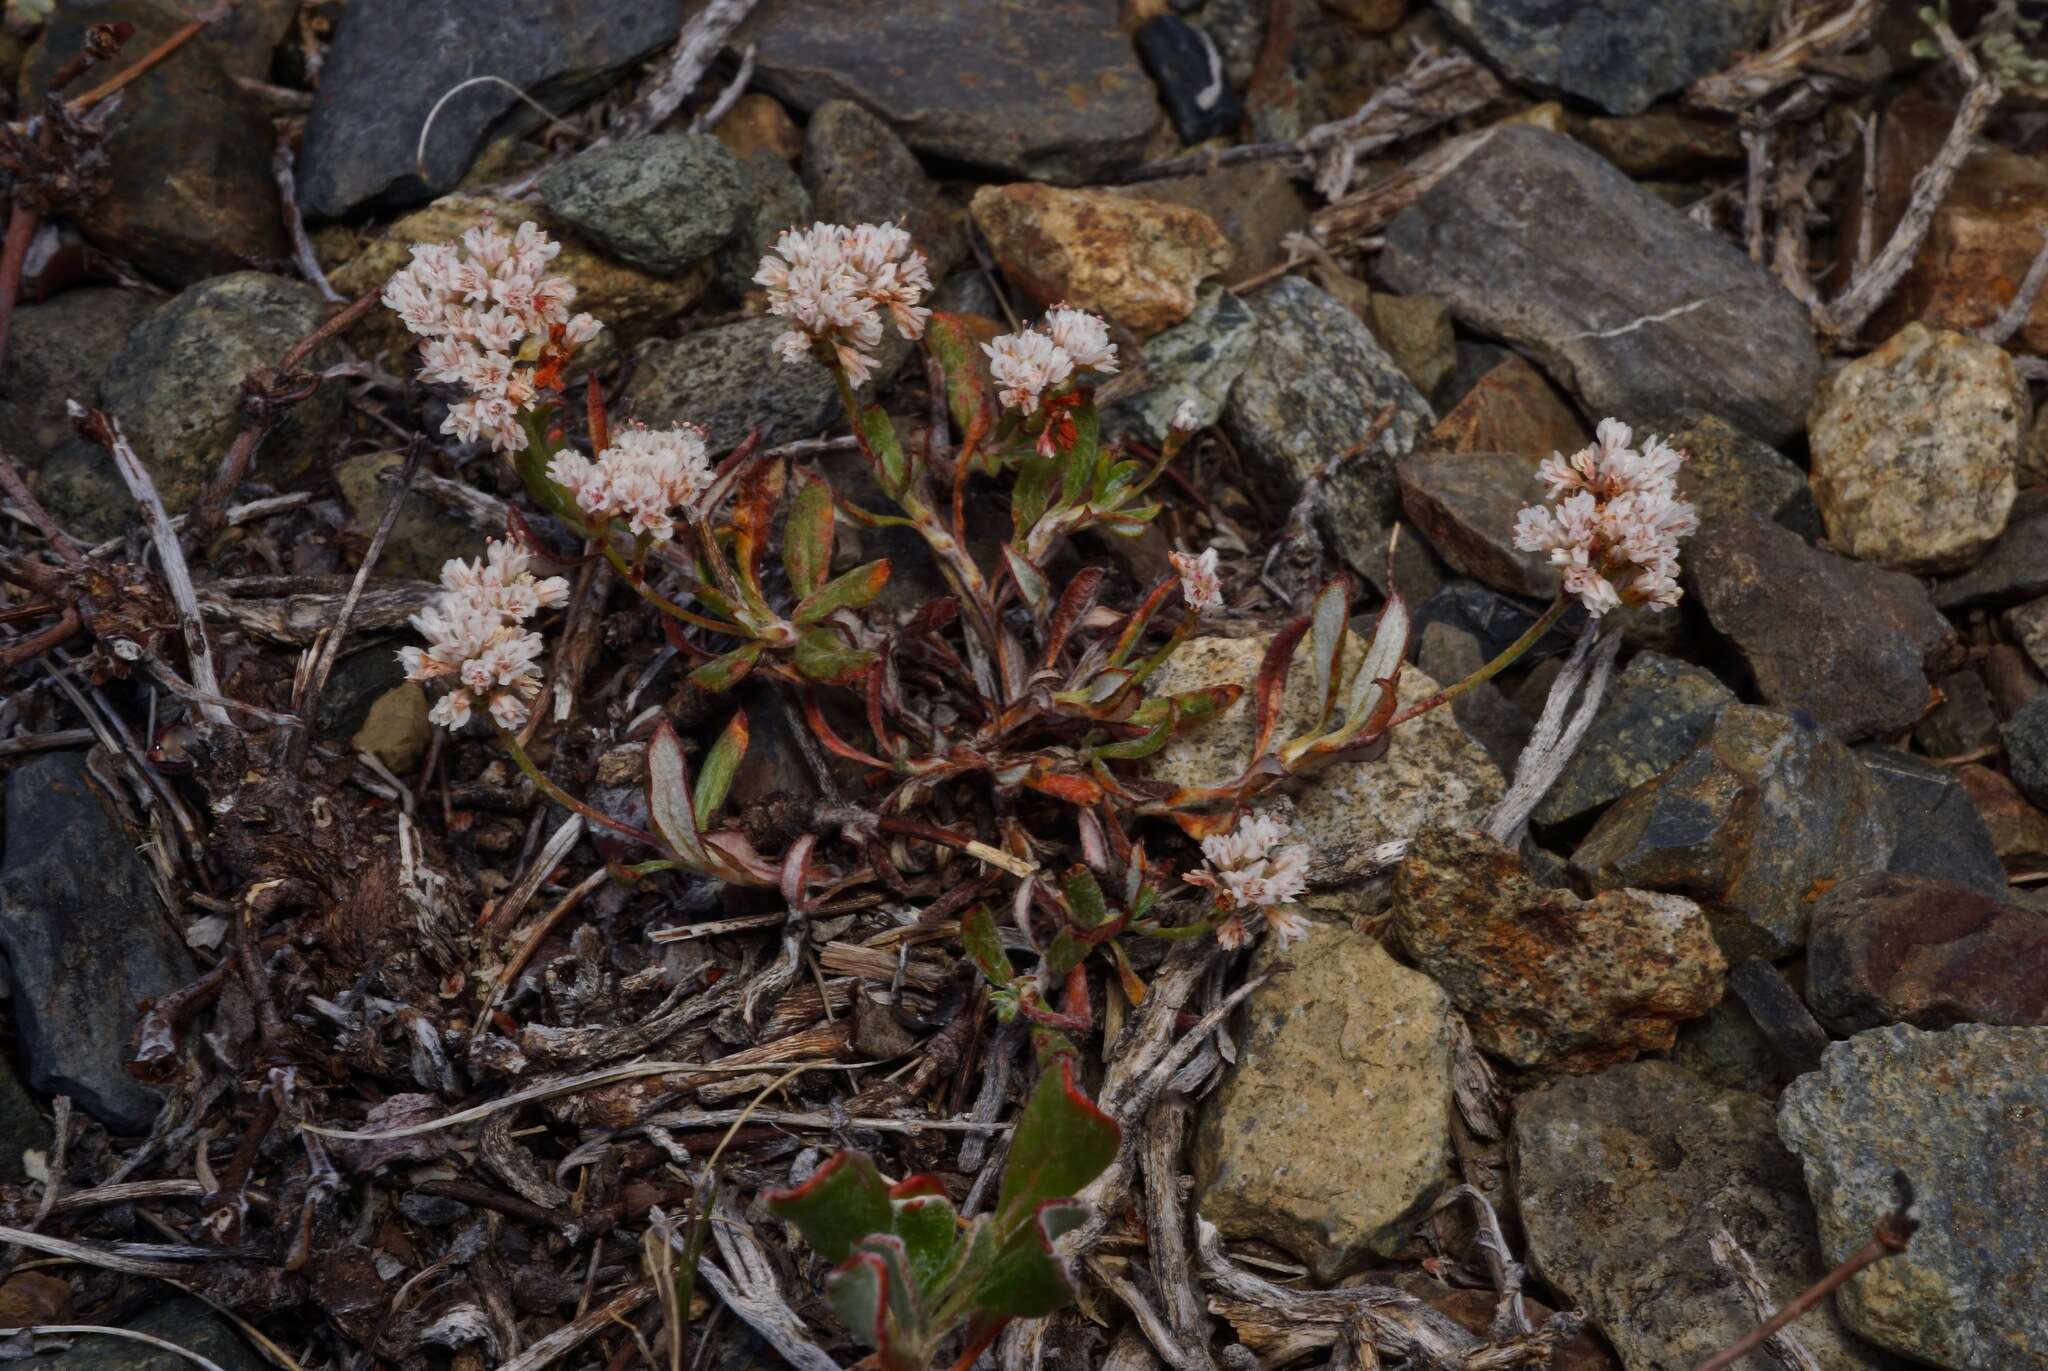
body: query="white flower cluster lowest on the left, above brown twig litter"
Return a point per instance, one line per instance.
(474, 636)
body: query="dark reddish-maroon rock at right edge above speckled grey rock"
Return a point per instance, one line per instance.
(1926, 952)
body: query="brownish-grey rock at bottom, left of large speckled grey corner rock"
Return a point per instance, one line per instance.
(1623, 1181)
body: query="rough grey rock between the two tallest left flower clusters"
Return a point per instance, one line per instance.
(728, 380)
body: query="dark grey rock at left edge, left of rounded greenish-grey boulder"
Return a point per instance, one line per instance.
(58, 351)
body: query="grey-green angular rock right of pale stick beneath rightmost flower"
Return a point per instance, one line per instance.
(1654, 716)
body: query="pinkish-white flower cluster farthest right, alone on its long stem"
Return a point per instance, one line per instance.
(1617, 522)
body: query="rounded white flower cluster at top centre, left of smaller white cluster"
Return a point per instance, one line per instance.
(835, 284)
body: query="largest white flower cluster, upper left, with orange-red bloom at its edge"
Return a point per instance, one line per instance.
(478, 306)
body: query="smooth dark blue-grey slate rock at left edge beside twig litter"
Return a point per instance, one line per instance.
(85, 936)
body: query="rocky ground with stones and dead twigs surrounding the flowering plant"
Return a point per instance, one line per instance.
(1777, 933)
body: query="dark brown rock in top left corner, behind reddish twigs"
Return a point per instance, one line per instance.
(187, 159)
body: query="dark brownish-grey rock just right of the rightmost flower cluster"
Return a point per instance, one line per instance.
(1850, 645)
